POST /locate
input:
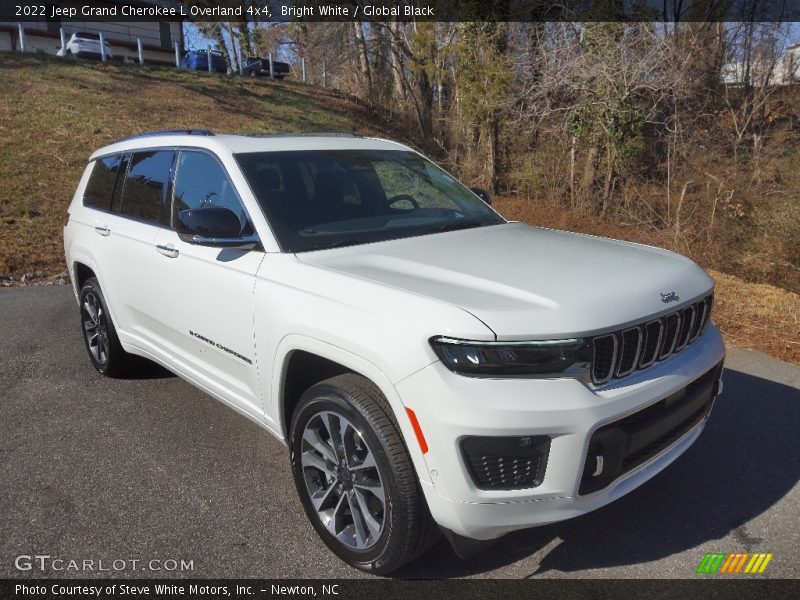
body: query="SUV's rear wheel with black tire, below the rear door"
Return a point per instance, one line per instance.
(104, 349)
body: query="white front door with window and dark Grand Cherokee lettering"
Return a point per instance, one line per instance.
(205, 305)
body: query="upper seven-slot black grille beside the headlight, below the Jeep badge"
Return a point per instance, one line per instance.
(622, 352)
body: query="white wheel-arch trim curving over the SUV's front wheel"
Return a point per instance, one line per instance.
(294, 342)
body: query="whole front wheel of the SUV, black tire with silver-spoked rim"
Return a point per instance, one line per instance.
(392, 531)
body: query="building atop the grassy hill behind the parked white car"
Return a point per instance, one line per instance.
(44, 35)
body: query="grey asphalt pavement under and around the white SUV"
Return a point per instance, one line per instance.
(151, 468)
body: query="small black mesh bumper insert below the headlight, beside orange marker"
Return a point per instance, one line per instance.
(506, 463)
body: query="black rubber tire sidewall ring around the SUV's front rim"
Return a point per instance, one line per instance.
(324, 397)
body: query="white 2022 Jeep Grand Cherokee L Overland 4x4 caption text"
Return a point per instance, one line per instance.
(189, 10)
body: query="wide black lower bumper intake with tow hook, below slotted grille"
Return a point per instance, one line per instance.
(623, 445)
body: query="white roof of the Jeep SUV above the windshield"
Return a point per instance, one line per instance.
(243, 143)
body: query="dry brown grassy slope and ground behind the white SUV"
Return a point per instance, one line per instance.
(53, 114)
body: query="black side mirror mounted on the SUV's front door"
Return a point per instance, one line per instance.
(215, 226)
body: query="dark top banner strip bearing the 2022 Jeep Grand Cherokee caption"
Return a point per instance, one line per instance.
(401, 10)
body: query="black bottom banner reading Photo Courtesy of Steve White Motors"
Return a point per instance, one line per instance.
(734, 588)
